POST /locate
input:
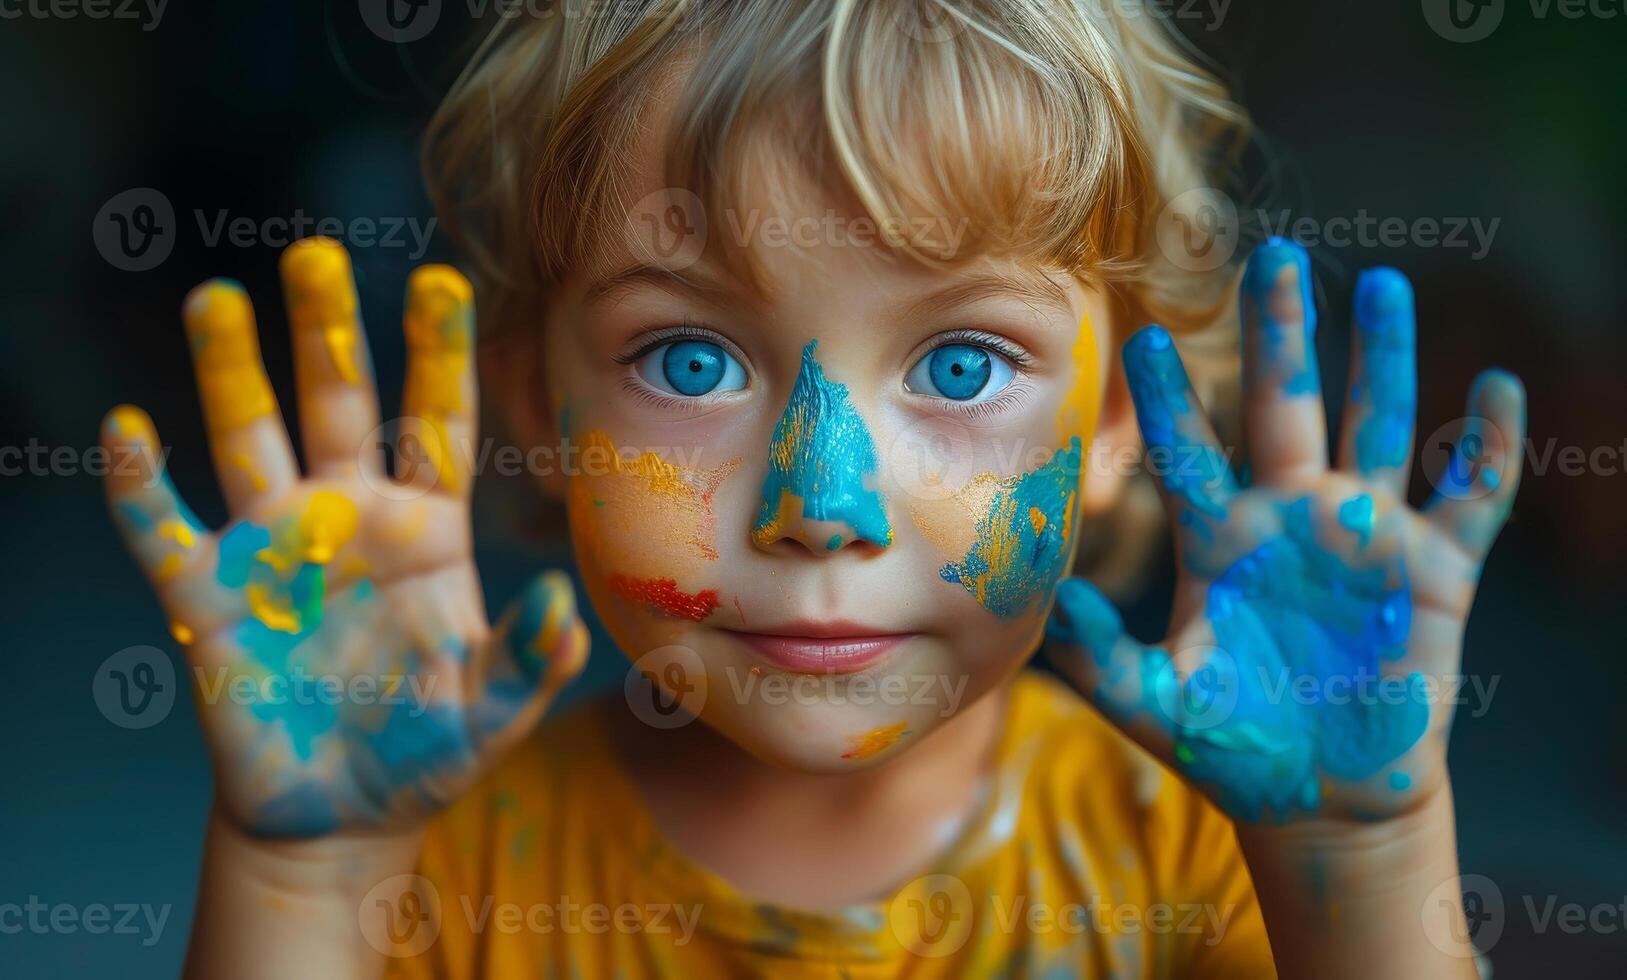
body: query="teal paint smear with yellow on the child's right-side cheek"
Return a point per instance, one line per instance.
(1013, 566)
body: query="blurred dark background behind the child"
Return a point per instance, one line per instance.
(271, 112)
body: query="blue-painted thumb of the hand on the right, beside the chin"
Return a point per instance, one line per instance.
(1088, 642)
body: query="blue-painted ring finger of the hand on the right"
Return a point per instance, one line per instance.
(1382, 405)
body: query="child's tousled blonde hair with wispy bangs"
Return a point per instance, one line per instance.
(1060, 131)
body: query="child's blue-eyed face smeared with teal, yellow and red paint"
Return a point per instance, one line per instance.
(863, 488)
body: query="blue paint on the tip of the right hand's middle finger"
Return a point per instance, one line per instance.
(1278, 295)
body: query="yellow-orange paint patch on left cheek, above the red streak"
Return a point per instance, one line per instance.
(681, 499)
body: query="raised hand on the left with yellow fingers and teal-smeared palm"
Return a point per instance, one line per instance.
(346, 673)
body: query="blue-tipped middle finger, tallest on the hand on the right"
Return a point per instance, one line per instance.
(1286, 424)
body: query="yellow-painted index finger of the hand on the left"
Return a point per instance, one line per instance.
(438, 409)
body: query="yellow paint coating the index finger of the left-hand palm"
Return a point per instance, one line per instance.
(440, 328)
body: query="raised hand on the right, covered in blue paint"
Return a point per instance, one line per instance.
(1314, 658)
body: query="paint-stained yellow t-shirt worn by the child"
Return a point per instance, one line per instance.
(1089, 860)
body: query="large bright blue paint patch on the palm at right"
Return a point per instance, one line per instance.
(1293, 610)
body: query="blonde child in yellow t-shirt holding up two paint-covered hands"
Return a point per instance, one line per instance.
(831, 317)
